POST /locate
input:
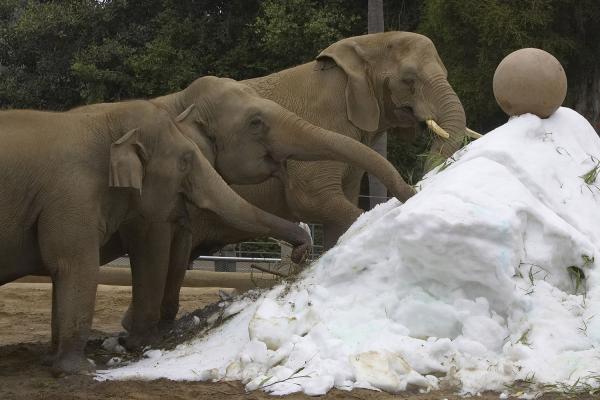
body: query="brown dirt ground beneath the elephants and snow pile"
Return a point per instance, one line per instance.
(25, 334)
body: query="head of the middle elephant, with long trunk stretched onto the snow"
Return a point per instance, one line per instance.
(251, 137)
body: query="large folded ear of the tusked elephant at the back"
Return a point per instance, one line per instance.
(361, 103)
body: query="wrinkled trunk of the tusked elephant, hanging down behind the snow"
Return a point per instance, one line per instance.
(449, 114)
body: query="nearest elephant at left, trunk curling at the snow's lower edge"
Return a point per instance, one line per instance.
(71, 180)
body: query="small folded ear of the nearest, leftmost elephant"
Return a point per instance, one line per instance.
(126, 168)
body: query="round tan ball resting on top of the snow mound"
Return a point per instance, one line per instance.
(530, 81)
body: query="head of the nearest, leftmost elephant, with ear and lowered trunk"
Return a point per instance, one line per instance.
(162, 163)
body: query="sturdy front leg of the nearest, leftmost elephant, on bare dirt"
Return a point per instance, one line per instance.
(73, 265)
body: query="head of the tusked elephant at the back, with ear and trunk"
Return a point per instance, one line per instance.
(397, 80)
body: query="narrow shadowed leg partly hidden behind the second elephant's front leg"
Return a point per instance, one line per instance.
(181, 249)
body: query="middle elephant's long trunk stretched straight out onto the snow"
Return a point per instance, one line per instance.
(300, 140)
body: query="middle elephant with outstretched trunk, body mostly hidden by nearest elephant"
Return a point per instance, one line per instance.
(248, 139)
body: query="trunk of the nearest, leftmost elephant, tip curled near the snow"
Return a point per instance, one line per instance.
(206, 189)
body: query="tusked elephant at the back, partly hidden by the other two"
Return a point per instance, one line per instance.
(358, 87)
